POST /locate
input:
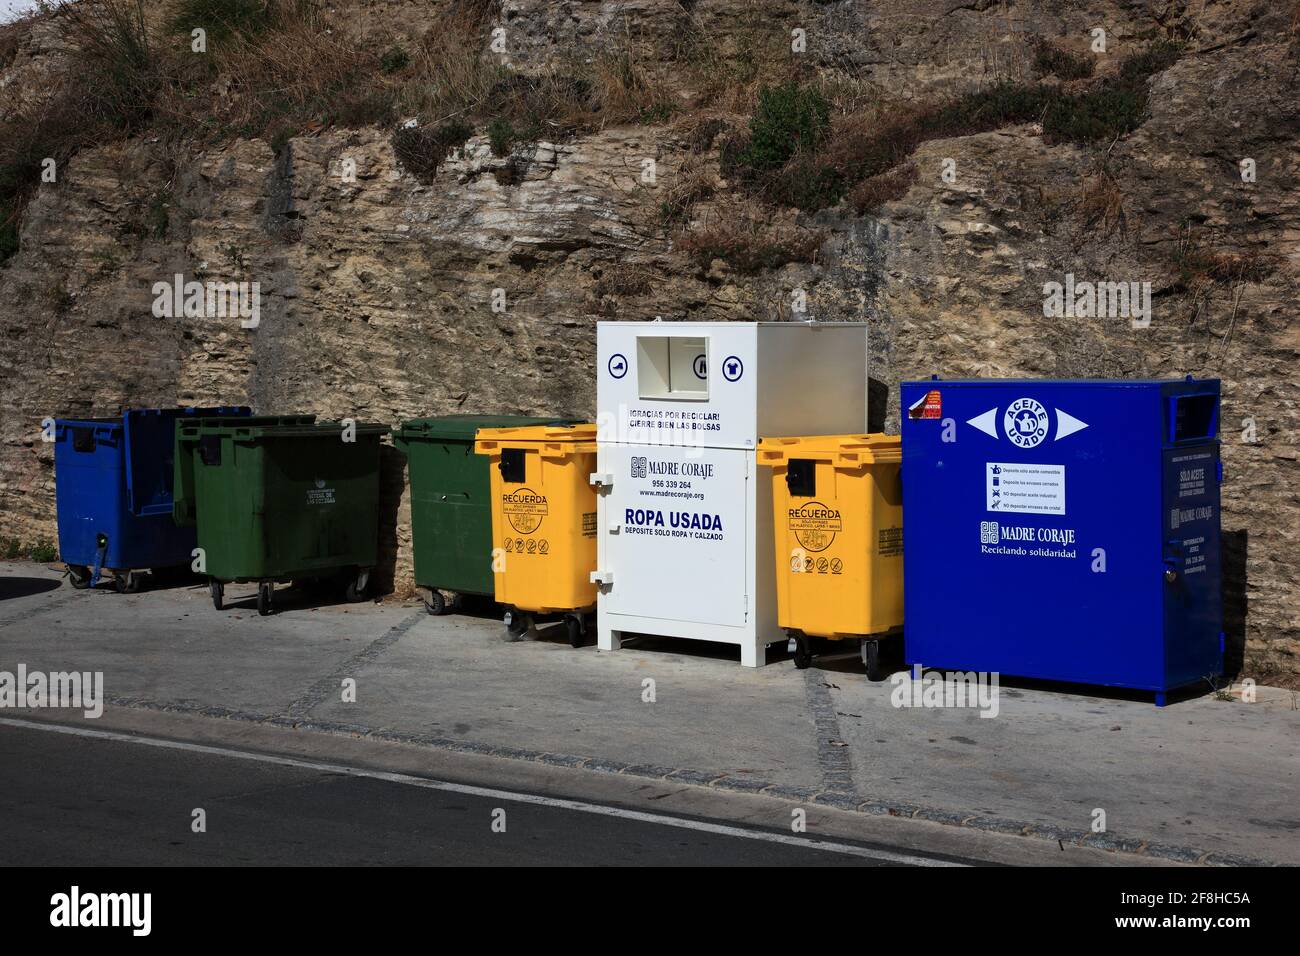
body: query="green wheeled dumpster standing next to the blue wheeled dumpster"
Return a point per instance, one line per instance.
(280, 499)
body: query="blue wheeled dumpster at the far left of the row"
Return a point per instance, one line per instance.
(114, 491)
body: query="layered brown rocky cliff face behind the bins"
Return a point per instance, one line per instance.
(379, 288)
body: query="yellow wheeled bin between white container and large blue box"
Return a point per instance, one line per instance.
(838, 504)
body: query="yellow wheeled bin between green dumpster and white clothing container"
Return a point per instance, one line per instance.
(544, 524)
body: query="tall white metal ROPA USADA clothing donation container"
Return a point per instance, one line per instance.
(684, 516)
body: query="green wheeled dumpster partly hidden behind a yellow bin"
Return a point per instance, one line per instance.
(450, 503)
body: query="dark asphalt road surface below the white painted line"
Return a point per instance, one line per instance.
(86, 801)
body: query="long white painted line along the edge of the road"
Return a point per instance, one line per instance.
(513, 797)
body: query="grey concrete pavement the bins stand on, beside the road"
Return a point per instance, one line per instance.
(1202, 780)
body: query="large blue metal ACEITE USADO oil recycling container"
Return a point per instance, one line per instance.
(1064, 530)
